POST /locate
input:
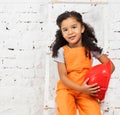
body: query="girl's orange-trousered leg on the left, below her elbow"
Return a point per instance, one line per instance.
(65, 102)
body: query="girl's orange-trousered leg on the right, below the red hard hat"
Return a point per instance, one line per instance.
(88, 105)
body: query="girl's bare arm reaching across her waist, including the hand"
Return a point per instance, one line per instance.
(89, 89)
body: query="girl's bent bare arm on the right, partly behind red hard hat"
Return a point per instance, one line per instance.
(103, 59)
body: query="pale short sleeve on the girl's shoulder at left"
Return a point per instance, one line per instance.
(60, 57)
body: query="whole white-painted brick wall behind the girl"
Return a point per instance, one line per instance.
(27, 27)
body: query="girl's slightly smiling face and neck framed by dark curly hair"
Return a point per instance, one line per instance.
(72, 31)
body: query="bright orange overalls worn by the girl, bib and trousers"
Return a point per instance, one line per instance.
(68, 100)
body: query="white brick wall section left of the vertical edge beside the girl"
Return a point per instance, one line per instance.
(22, 48)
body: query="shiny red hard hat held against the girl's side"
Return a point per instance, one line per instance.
(100, 74)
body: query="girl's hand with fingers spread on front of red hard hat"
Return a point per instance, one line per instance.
(90, 89)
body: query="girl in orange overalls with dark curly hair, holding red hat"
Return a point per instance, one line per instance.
(73, 49)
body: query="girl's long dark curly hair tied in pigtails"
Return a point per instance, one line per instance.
(89, 40)
